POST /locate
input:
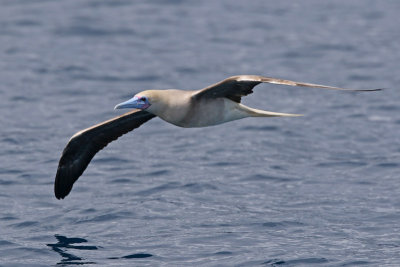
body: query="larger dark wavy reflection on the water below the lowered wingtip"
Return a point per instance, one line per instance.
(65, 243)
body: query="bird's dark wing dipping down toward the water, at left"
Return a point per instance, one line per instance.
(82, 147)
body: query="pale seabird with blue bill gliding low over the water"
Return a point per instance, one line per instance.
(216, 104)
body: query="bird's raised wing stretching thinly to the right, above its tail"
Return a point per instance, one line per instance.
(237, 86)
